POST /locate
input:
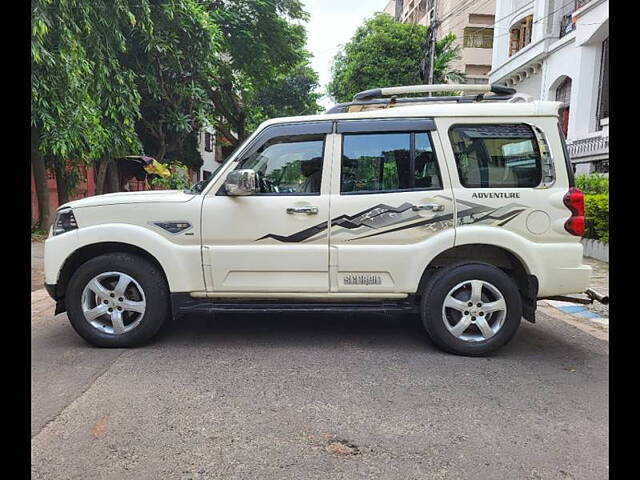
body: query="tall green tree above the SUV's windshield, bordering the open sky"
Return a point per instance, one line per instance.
(263, 44)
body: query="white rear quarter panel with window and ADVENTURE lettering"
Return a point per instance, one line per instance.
(504, 179)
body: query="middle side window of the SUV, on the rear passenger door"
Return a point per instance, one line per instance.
(378, 162)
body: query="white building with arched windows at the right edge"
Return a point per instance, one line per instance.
(559, 50)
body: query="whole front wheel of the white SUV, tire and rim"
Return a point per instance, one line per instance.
(117, 300)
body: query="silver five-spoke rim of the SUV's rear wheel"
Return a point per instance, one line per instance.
(474, 311)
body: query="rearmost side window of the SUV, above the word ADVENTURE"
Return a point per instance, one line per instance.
(496, 155)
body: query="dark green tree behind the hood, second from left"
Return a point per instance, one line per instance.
(174, 63)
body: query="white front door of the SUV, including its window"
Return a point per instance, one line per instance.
(274, 240)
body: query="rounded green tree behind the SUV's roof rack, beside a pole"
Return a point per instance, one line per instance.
(385, 53)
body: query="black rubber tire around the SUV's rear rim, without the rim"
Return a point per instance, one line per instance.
(436, 291)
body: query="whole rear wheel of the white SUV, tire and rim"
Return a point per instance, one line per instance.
(471, 309)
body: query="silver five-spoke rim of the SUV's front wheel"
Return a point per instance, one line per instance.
(113, 302)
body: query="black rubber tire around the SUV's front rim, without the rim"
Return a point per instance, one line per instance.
(152, 282)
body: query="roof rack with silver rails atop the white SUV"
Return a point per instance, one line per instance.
(371, 99)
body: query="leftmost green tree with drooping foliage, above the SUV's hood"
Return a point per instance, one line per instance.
(83, 103)
